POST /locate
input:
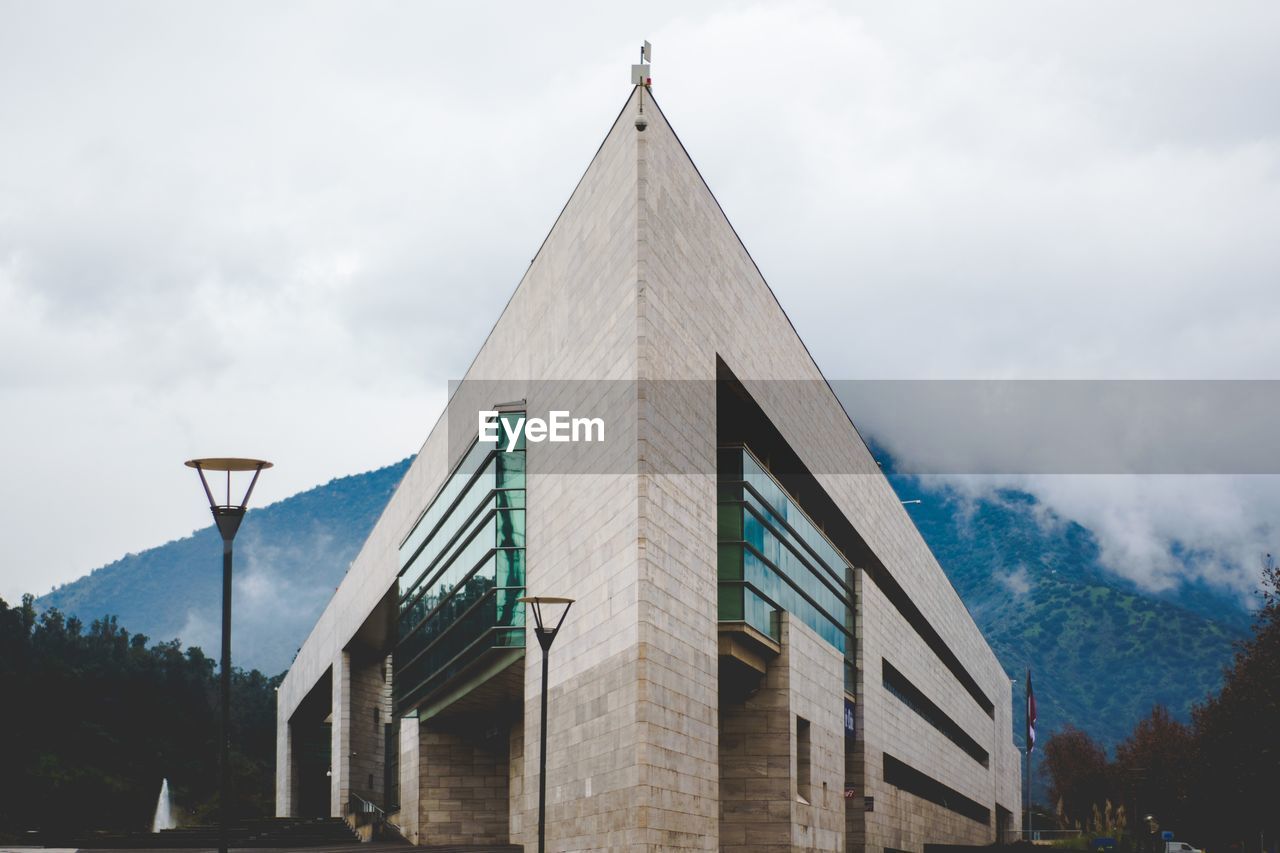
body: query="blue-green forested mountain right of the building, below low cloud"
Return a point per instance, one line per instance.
(1103, 653)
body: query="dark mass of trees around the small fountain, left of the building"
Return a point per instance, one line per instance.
(97, 718)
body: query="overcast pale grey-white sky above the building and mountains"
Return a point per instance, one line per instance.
(280, 230)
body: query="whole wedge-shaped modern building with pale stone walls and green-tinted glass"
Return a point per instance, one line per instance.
(764, 654)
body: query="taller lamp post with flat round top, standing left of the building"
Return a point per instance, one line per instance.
(228, 518)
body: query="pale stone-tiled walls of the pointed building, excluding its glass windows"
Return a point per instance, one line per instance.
(643, 282)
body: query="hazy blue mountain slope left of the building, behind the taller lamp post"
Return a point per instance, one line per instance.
(290, 558)
